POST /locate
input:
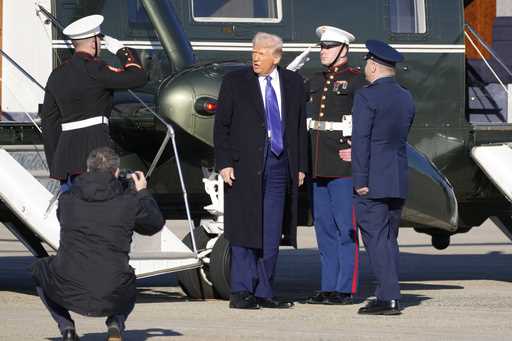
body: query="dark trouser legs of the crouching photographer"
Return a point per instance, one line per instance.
(63, 318)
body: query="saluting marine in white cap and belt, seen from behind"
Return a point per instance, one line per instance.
(78, 98)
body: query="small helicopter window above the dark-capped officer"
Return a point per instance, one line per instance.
(408, 16)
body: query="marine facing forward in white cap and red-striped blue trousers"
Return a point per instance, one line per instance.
(330, 127)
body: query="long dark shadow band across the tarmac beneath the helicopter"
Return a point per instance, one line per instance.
(298, 274)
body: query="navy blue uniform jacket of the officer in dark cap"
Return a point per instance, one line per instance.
(382, 115)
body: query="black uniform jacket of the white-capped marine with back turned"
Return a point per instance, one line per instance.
(79, 89)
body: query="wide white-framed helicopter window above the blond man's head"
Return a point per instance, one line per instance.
(237, 10)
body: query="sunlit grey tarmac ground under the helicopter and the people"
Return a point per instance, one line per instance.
(461, 293)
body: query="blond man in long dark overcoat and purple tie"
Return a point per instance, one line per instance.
(261, 152)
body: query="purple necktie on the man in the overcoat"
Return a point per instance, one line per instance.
(273, 118)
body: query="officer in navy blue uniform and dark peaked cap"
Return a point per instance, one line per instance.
(383, 113)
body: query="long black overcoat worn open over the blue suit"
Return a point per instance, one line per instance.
(240, 139)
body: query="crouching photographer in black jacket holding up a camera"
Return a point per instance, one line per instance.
(90, 274)
